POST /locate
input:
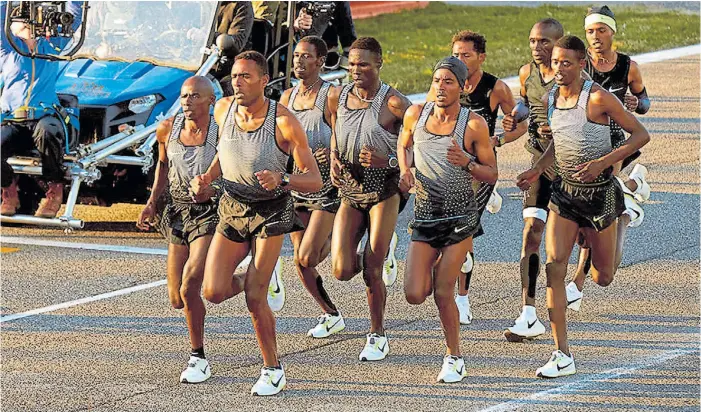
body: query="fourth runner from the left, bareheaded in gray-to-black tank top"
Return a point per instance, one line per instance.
(366, 117)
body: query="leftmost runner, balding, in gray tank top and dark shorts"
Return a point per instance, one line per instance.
(187, 144)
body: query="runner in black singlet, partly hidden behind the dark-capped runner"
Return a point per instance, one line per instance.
(483, 94)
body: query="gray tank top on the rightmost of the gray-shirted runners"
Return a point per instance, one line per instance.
(577, 139)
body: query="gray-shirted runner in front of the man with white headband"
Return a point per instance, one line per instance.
(585, 194)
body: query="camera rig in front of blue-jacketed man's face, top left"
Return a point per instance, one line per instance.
(44, 18)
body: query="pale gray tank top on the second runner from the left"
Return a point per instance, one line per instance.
(243, 153)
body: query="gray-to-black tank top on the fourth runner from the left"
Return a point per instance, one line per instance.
(356, 128)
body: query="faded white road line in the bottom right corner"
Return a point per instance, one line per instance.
(583, 383)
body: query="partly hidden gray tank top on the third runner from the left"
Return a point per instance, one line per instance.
(318, 136)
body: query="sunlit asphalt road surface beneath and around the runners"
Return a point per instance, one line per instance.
(636, 342)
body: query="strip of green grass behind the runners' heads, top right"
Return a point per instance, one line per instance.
(412, 41)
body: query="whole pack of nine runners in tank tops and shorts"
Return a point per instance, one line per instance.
(330, 164)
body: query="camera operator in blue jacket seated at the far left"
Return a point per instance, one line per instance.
(27, 112)
